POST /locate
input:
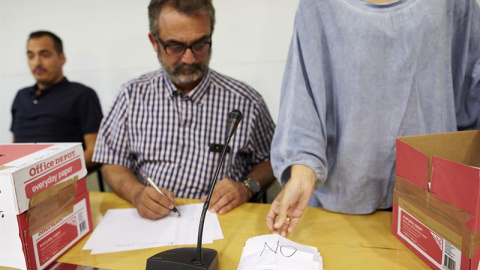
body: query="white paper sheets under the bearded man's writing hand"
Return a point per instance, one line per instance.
(124, 229)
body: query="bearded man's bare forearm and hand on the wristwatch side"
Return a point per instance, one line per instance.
(229, 194)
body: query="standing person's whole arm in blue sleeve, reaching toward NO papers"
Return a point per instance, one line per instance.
(305, 124)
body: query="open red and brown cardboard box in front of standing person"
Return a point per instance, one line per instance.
(436, 205)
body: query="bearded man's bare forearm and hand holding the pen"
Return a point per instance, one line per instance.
(149, 203)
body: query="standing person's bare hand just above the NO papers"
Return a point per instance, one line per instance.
(289, 206)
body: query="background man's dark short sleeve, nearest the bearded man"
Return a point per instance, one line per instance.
(89, 112)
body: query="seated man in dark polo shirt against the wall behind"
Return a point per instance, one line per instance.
(54, 109)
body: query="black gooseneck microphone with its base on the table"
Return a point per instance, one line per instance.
(197, 258)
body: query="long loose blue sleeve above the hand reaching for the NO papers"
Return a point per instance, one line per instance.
(301, 134)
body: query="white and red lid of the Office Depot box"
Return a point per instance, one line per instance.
(28, 169)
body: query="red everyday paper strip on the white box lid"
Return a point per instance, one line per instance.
(53, 178)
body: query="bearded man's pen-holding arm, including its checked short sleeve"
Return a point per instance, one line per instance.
(113, 150)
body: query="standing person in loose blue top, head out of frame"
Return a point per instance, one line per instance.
(359, 75)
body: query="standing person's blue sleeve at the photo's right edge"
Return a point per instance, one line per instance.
(467, 72)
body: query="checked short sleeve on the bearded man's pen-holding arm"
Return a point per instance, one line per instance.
(112, 146)
